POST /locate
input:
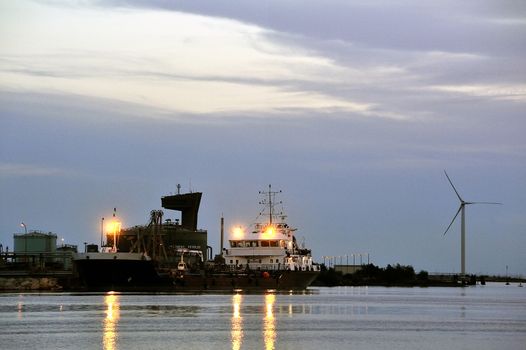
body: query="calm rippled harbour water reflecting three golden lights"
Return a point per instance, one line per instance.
(482, 317)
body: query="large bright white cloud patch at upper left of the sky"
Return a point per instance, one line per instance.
(198, 65)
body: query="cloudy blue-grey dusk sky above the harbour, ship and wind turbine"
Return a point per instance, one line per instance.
(352, 109)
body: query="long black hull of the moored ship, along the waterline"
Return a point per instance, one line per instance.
(142, 276)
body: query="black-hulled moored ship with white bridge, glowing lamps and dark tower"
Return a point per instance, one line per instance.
(173, 255)
